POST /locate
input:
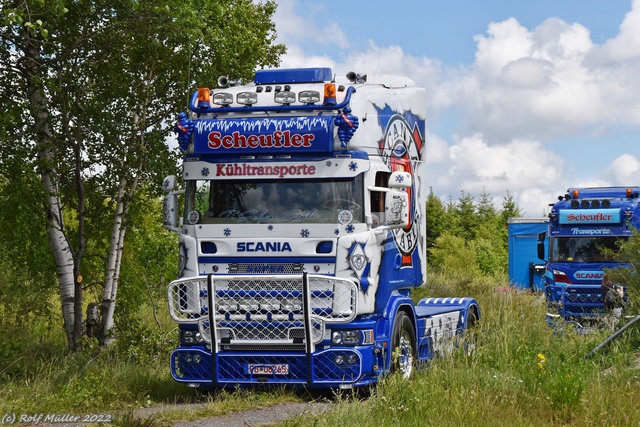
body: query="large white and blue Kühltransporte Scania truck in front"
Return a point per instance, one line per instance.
(303, 233)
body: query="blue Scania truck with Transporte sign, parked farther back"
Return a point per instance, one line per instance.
(586, 226)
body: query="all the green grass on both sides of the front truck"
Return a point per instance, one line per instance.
(520, 373)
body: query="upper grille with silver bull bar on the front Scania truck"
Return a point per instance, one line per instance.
(263, 310)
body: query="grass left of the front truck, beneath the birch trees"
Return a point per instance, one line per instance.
(38, 375)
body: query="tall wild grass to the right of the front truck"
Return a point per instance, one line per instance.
(519, 373)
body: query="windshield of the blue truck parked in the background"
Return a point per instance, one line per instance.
(584, 249)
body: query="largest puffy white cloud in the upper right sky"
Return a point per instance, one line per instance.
(550, 82)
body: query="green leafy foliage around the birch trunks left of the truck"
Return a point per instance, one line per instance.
(90, 90)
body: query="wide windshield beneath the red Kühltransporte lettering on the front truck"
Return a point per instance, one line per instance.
(332, 200)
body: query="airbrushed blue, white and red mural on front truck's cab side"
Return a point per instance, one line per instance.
(390, 260)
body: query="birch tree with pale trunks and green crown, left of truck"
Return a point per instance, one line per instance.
(102, 82)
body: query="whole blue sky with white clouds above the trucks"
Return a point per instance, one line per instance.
(528, 98)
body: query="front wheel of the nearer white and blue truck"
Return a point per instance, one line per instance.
(403, 346)
